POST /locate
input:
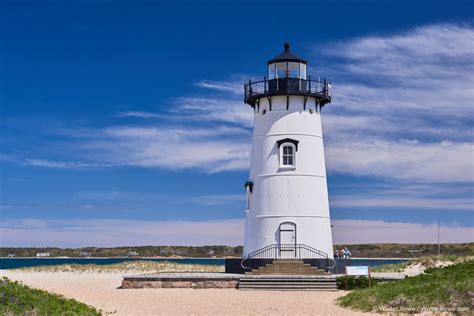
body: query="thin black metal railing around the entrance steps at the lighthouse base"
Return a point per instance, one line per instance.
(290, 252)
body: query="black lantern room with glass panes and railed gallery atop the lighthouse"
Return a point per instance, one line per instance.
(287, 75)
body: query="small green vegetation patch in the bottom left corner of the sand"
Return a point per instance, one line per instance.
(18, 299)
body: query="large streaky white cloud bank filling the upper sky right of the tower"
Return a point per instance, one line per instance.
(403, 105)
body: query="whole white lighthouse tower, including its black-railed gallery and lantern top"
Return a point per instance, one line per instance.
(287, 212)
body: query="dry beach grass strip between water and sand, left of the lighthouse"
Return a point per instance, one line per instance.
(127, 267)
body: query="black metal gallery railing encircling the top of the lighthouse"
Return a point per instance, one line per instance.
(261, 87)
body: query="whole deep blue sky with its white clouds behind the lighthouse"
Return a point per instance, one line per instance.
(123, 122)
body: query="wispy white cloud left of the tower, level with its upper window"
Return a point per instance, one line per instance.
(209, 149)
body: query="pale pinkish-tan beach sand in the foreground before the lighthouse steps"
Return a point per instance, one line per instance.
(101, 291)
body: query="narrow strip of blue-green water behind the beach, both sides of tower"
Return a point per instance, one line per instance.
(14, 263)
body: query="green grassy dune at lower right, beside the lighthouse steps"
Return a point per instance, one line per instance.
(446, 289)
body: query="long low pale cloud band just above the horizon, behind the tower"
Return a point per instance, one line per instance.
(107, 232)
